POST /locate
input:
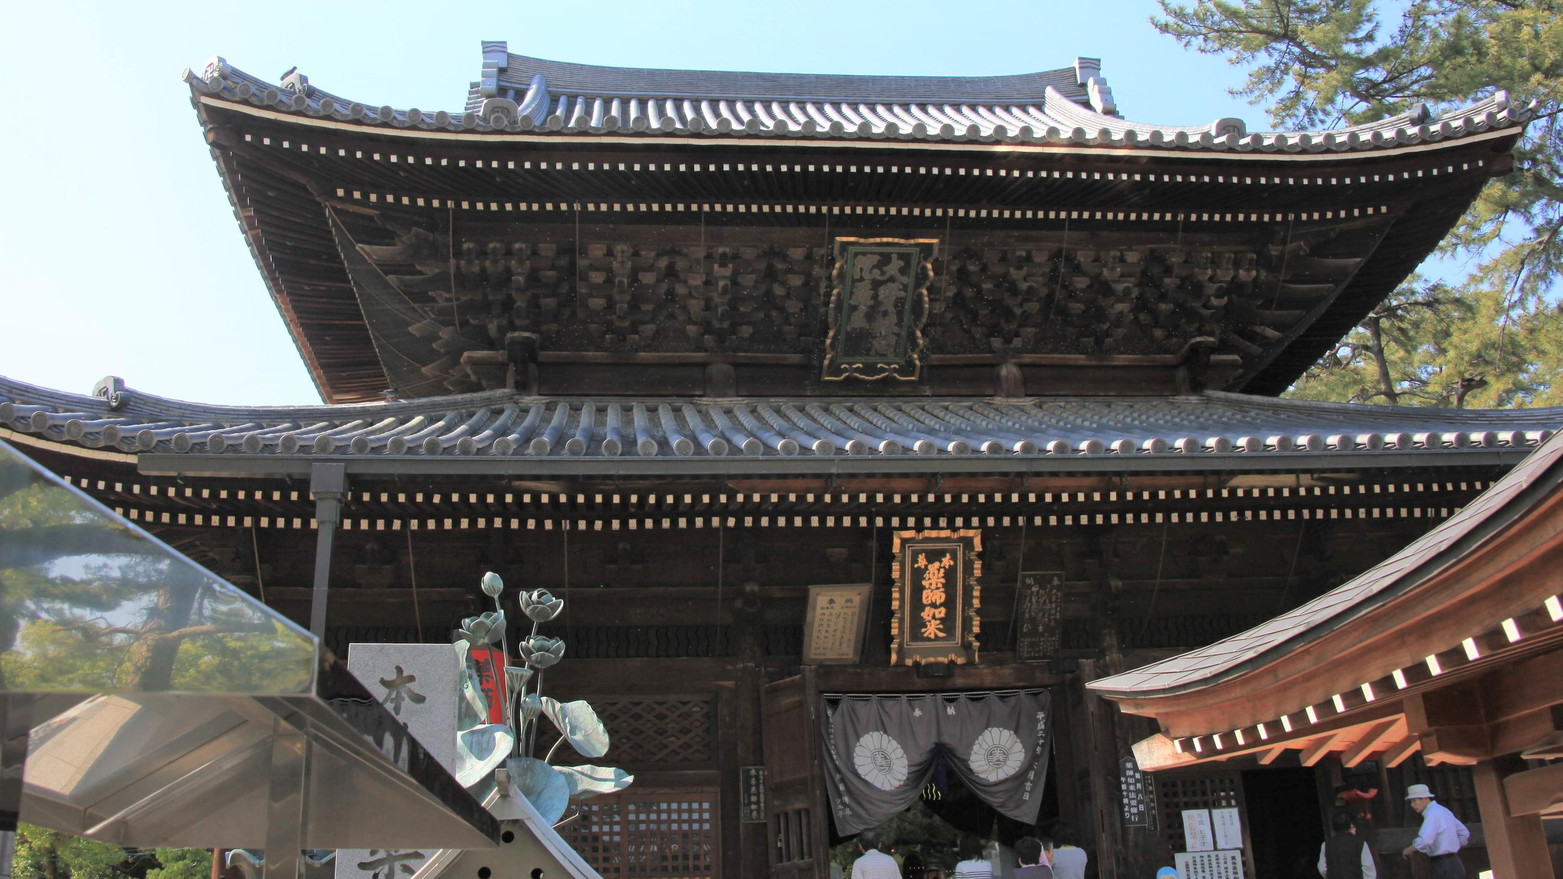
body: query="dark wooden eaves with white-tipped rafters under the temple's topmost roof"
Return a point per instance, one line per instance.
(281, 170)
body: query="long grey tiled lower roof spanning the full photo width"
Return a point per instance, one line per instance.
(501, 425)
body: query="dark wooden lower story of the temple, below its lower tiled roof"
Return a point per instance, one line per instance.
(687, 606)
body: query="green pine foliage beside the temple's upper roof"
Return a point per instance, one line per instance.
(1493, 339)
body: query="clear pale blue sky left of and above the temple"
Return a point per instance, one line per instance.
(120, 254)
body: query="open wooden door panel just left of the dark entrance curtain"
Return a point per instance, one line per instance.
(796, 800)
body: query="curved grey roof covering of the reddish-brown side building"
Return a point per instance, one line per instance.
(1526, 486)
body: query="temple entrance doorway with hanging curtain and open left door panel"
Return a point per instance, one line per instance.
(942, 764)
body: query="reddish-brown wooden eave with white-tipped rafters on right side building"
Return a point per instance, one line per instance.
(1456, 658)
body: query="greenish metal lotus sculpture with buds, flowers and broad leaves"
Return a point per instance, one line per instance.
(485, 745)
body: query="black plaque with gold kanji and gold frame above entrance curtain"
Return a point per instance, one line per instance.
(937, 597)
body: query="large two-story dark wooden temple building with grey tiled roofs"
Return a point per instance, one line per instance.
(685, 348)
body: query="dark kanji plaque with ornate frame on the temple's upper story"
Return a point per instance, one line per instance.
(879, 304)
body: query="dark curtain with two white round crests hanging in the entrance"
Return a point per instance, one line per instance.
(882, 750)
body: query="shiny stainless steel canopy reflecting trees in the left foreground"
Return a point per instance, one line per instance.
(149, 703)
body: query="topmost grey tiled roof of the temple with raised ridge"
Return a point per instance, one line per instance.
(1071, 106)
